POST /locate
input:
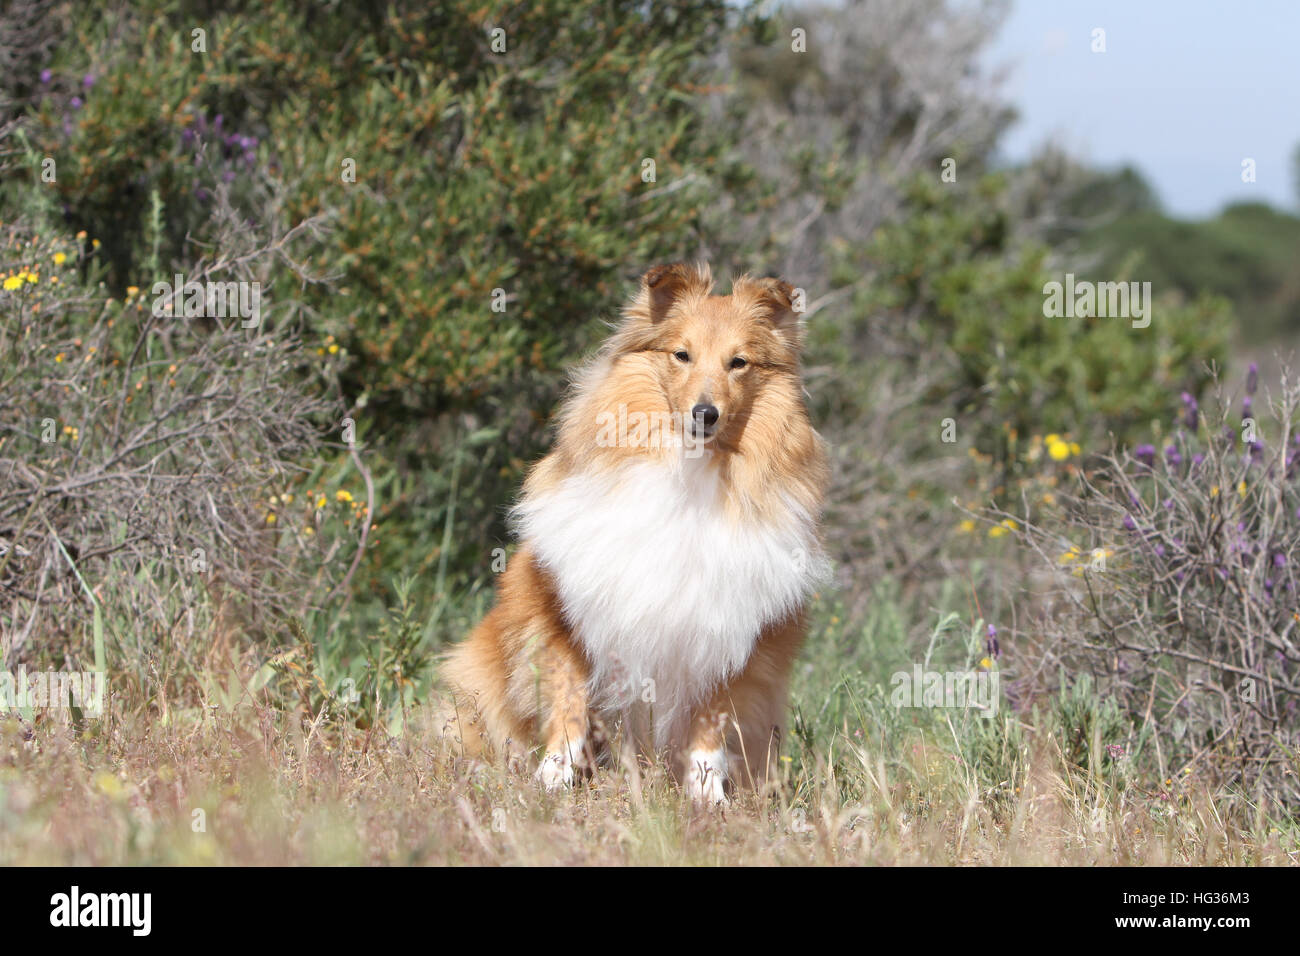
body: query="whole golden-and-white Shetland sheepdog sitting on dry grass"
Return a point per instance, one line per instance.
(669, 547)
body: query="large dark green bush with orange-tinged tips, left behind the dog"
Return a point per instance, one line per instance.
(475, 171)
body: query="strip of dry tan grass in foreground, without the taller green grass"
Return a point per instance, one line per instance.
(255, 789)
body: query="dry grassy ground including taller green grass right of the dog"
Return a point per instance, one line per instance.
(249, 782)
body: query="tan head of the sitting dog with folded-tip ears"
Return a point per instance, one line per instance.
(713, 356)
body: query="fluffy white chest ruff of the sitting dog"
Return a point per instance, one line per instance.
(666, 591)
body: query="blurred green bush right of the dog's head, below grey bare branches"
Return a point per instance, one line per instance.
(951, 284)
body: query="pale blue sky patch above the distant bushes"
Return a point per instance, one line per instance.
(1186, 90)
